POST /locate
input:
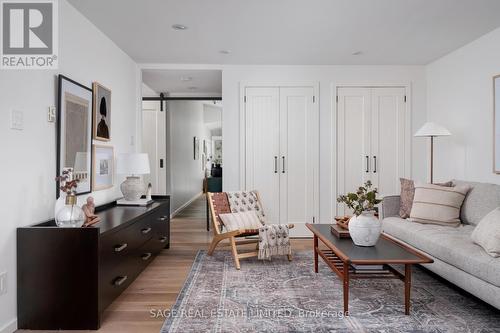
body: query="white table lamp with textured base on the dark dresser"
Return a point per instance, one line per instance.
(132, 164)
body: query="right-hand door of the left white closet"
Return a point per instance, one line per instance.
(298, 157)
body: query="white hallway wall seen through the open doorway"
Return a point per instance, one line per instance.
(186, 122)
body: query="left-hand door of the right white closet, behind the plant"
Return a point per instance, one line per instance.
(353, 140)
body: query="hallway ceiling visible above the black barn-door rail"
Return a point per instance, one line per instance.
(184, 82)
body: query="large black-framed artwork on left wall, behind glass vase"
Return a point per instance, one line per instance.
(74, 132)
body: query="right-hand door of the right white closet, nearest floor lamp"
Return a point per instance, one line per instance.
(388, 139)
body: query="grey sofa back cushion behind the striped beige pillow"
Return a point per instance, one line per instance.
(480, 200)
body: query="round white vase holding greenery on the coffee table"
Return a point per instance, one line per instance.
(365, 229)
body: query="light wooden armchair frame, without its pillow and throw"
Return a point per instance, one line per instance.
(219, 204)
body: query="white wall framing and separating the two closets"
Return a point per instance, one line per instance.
(328, 77)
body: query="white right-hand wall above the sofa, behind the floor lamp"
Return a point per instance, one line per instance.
(460, 97)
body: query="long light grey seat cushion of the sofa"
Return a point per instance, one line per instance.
(451, 245)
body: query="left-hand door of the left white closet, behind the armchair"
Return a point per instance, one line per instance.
(262, 147)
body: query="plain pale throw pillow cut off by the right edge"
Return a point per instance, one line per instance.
(487, 233)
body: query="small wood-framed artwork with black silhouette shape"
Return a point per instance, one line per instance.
(102, 112)
